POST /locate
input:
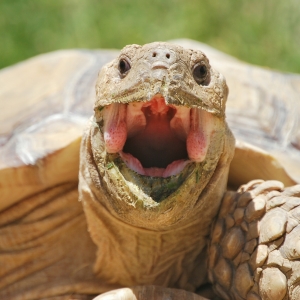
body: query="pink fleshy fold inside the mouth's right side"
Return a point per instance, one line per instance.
(199, 135)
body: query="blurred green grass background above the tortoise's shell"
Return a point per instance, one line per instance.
(263, 32)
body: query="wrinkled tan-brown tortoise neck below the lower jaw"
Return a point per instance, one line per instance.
(129, 255)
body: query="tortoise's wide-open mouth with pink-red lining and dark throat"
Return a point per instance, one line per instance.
(155, 139)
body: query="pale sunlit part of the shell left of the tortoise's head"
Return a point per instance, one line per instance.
(46, 96)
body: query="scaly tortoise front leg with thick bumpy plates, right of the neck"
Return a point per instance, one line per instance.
(255, 243)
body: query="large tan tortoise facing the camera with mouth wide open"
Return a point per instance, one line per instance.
(170, 206)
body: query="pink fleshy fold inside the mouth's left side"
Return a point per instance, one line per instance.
(115, 131)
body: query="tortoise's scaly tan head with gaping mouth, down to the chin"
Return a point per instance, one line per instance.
(158, 139)
